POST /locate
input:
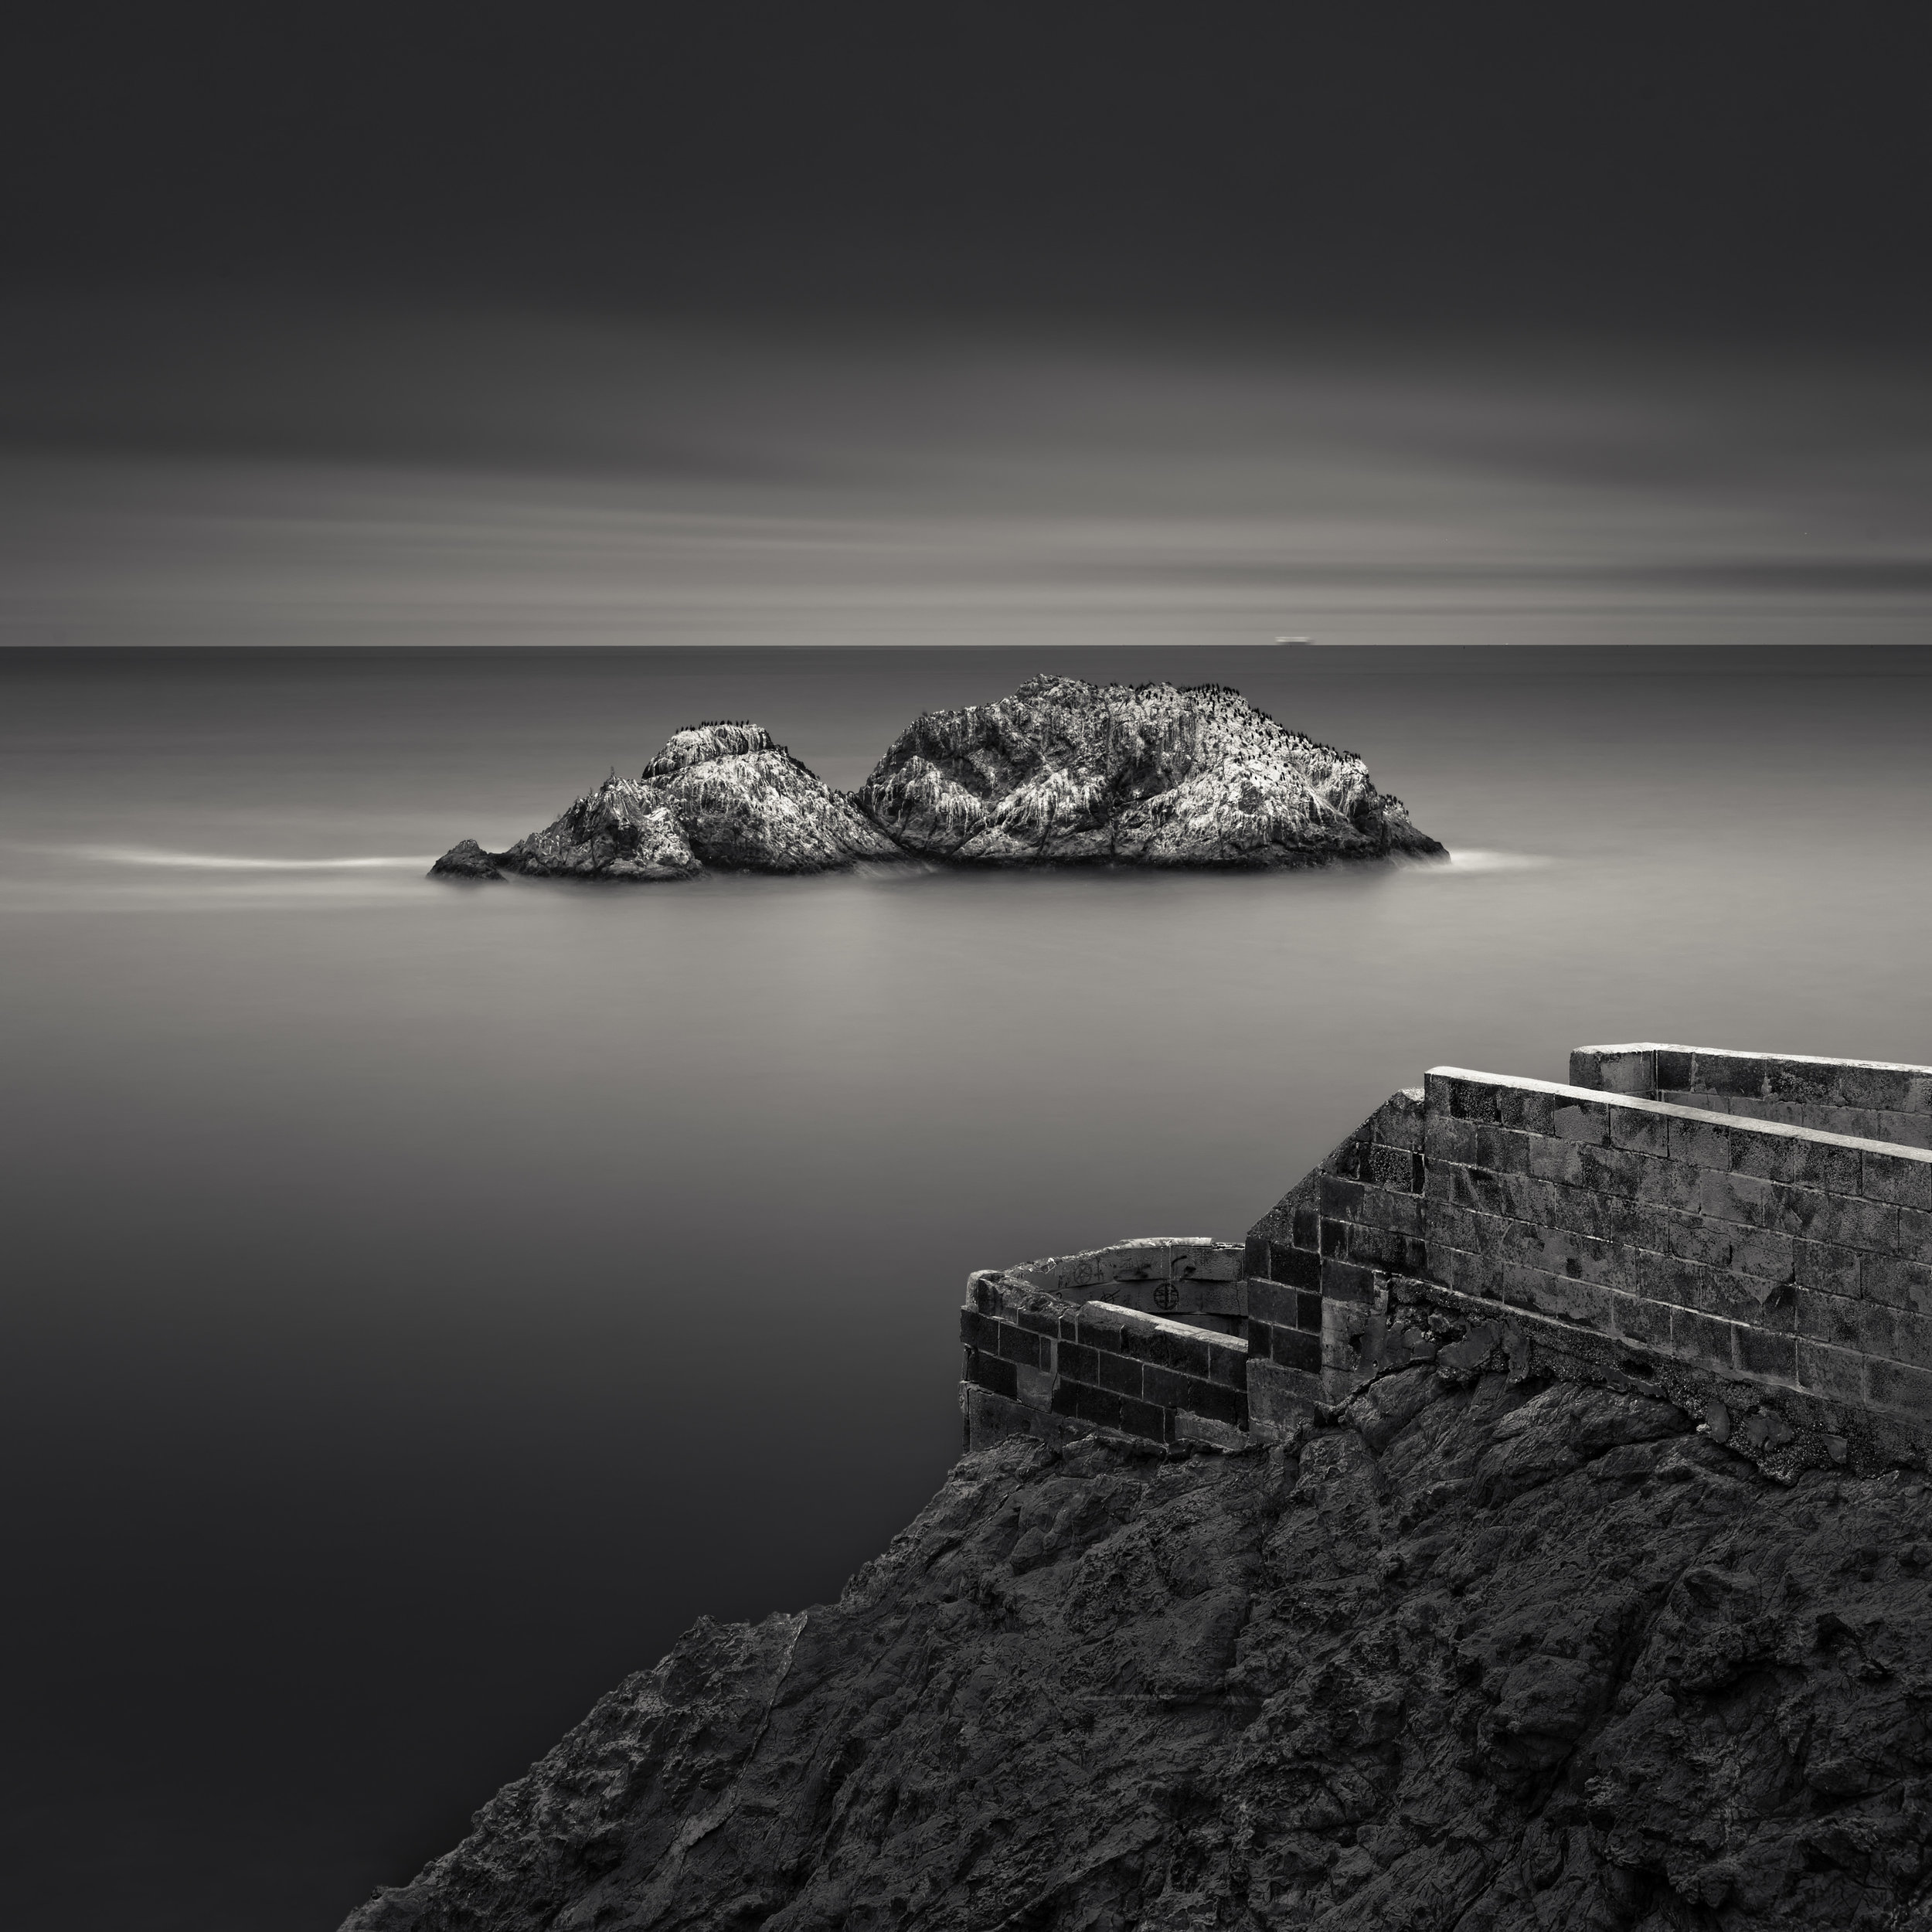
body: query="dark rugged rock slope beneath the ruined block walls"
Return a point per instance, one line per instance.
(1479, 1657)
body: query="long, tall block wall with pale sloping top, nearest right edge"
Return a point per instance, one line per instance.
(1757, 1251)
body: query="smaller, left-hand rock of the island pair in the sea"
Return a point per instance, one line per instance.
(718, 795)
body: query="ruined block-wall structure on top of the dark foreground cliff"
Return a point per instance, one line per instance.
(1747, 1236)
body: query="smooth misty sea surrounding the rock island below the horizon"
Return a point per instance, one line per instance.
(424, 1301)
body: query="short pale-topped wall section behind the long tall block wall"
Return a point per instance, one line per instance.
(1871, 1100)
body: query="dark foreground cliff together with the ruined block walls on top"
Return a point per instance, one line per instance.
(1483, 1547)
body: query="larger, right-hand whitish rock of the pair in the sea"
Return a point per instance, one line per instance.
(1147, 774)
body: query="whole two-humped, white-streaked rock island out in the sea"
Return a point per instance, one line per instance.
(1064, 772)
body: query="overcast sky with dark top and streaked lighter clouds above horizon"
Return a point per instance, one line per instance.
(722, 322)
